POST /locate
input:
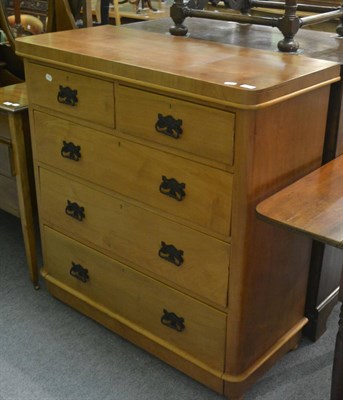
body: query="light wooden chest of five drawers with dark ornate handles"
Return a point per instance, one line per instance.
(149, 165)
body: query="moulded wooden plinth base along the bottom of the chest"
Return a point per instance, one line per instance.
(189, 365)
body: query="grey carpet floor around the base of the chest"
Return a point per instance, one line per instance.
(48, 351)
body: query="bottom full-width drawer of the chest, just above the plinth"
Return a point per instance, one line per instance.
(138, 299)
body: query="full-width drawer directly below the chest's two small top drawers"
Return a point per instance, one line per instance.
(183, 188)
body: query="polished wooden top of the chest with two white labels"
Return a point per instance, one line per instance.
(243, 77)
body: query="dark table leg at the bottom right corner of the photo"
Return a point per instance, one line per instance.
(337, 371)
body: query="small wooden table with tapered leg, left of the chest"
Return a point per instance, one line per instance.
(16, 173)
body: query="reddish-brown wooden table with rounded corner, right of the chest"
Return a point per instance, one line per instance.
(314, 206)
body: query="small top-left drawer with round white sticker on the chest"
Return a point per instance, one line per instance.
(73, 94)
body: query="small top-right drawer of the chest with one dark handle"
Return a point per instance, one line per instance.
(191, 128)
